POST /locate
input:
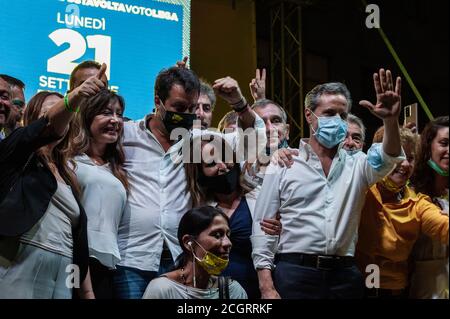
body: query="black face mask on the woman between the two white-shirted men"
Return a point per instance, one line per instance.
(222, 184)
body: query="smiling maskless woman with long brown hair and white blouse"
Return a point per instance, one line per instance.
(98, 154)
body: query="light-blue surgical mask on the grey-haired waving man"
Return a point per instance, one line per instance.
(331, 131)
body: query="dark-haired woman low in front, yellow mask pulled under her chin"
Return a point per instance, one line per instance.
(203, 234)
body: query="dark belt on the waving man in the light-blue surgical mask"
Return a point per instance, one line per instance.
(321, 262)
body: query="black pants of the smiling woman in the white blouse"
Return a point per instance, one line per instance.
(102, 279)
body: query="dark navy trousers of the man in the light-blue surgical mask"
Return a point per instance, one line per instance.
(293, 281)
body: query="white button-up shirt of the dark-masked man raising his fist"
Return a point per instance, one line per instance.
(158, 196)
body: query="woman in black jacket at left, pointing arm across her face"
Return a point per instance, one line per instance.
(43, 242)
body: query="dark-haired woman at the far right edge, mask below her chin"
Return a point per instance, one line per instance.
(430, 270)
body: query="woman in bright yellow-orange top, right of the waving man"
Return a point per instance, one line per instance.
(392, 220)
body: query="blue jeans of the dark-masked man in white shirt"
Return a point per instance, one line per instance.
(130, 283)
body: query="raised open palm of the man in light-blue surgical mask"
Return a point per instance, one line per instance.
(388, 103)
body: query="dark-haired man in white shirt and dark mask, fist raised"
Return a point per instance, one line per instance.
(158, 197)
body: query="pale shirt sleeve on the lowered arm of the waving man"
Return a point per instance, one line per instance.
(267, 205)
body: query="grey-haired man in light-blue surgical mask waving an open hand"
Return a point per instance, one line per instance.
(320, 198)
